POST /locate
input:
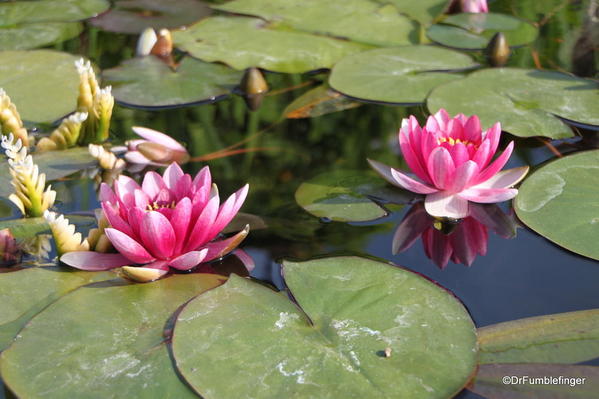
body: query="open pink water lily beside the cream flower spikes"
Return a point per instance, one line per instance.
(169, 221)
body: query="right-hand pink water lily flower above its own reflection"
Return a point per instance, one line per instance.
(452, 162)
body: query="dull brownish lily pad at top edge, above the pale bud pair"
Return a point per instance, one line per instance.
(133, 16)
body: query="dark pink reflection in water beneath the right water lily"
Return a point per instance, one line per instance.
(460, 241)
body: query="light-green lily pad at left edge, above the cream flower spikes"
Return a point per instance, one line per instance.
(42, 83)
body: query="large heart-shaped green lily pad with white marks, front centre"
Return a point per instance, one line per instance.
(243, 339)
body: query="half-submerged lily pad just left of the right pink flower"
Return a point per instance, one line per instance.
(347, 196)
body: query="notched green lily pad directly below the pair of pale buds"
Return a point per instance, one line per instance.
(147, 82)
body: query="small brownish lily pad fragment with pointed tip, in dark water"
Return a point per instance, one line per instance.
(318, 101)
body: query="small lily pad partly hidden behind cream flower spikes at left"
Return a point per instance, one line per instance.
(55, 164)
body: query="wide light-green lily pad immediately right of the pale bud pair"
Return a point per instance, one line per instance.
(251, 42)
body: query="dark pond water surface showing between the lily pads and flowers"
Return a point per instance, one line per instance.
(522, 276)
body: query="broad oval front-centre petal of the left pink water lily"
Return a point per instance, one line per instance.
(158, 235)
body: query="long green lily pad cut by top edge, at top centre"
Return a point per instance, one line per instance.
(358, 20)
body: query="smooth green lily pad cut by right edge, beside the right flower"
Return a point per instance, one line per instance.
(560, 201)
